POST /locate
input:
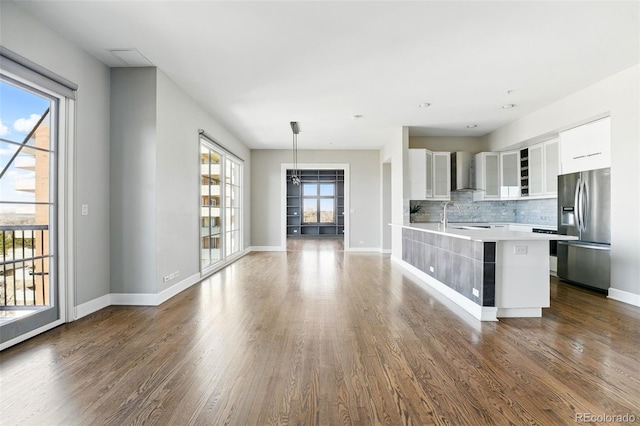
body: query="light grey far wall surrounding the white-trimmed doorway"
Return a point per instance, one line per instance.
(364, 188)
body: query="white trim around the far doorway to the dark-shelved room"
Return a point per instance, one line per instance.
(314, 166)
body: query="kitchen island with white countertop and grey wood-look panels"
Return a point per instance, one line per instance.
(490, 272)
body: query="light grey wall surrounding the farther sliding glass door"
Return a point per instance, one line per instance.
(178, 179)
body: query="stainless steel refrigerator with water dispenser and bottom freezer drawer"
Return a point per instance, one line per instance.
(584, 211)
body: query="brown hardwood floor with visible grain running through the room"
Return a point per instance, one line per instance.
(321, 336)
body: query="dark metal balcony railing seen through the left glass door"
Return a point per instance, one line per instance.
(24, 266)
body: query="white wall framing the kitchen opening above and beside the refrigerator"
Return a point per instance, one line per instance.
(619, 96)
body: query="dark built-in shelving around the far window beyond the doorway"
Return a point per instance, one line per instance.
(296, 227)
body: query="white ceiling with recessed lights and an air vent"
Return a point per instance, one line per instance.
(256, 66)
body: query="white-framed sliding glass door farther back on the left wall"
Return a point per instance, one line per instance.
(220, 205)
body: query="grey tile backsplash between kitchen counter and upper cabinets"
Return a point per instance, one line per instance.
(535, 212)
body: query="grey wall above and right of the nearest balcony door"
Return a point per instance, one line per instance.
(23, 34)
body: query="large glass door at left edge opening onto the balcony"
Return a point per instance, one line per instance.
(33, 119)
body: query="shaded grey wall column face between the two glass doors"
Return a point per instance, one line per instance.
(133, 180)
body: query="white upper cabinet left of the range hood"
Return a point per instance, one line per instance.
(429, 174)
